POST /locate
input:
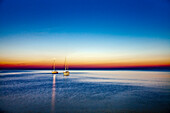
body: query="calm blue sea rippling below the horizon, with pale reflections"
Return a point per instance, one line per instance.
(84, 91)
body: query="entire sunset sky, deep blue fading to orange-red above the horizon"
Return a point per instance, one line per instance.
(89, 33)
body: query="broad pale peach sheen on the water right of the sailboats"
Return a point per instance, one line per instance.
(140, 78)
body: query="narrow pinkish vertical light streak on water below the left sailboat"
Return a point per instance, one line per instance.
(53, 96)
